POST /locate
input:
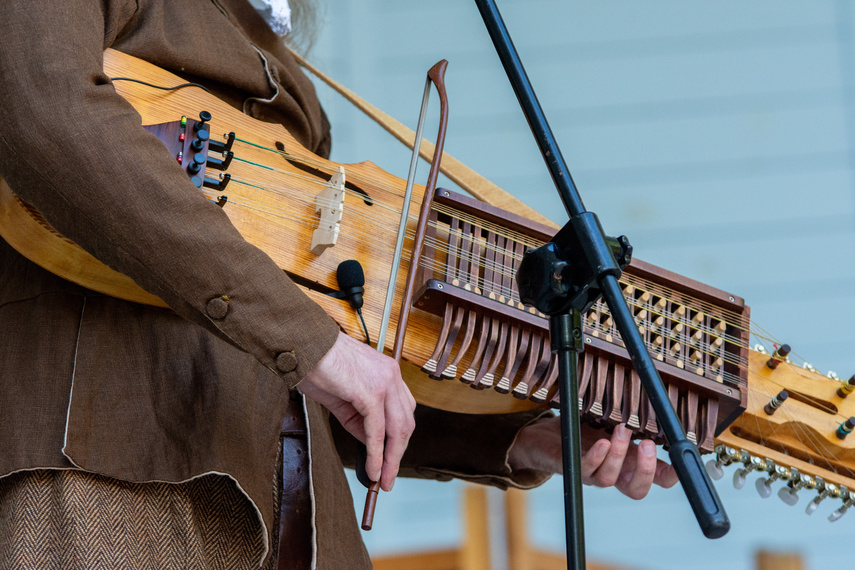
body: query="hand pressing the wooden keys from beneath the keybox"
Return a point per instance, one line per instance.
(616, 461)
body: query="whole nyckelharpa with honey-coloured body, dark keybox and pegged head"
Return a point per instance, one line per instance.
(697, 334)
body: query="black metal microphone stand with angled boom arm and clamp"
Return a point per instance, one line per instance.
(565, 277)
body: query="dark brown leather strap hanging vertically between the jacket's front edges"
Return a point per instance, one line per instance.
(295, 500)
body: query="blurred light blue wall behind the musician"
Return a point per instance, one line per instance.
(717, 136)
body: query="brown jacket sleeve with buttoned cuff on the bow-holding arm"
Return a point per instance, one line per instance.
(75, 149)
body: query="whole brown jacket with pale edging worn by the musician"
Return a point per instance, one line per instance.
(146, 394)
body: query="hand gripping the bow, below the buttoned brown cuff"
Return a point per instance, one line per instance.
(365, 391)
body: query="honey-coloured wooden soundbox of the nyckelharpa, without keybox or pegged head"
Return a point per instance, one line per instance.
(279, 220)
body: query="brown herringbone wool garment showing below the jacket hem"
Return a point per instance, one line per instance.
(58, 520)
